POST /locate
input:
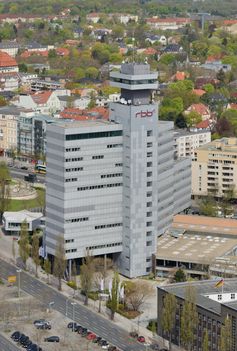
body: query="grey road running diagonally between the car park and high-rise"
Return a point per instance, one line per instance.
(83, 316)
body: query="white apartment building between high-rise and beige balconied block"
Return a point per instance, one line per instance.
(187, 141)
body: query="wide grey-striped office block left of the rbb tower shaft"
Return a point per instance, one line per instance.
(84, 188)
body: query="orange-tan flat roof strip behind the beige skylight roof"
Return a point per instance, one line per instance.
(209, 225)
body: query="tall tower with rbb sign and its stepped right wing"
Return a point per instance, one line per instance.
(151, 179)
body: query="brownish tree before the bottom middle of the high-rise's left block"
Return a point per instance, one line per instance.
(86, 275)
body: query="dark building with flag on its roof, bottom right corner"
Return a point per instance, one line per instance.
(214, 304)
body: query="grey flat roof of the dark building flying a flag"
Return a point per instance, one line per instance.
(202, 288)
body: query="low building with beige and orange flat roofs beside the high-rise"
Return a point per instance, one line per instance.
(198, 244)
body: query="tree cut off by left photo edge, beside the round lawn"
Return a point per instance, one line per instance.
(4, 188)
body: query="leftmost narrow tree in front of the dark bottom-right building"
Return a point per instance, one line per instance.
(168, 315)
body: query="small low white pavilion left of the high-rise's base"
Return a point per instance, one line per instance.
(12, 221)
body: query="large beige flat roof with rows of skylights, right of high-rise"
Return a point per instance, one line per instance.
(193, 248)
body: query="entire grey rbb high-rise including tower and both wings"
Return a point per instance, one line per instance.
(113, 187)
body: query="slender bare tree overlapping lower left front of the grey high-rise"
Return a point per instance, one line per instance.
(59, 265)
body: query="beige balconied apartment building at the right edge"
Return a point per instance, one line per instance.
(214, 168)
